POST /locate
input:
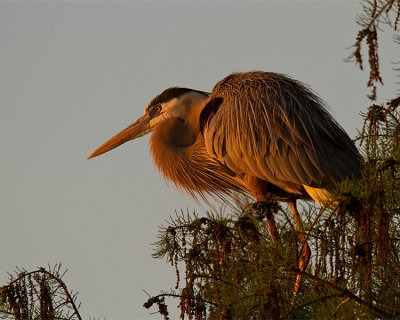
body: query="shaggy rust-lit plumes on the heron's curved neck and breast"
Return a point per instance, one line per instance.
(179, 153)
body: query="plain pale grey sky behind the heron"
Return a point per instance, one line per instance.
(73, 73)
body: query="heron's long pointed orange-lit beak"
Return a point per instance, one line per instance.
(137, 129)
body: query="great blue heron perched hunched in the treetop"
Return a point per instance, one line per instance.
(258, 133)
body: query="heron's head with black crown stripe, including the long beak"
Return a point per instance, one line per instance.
(171, 103)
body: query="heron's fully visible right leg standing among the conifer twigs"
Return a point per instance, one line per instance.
(305, 251)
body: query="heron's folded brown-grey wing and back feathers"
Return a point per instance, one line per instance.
(275, 128)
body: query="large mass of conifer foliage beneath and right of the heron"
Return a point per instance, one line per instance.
(227, 267)
